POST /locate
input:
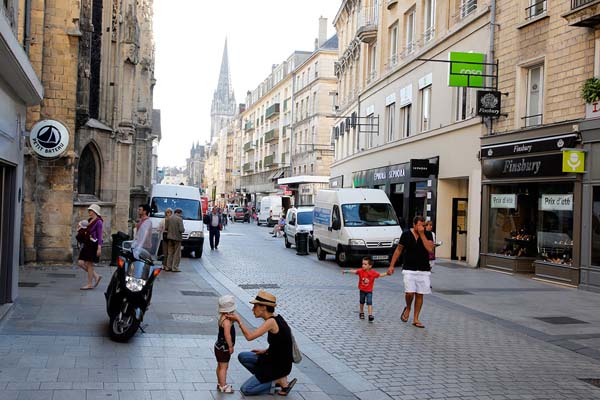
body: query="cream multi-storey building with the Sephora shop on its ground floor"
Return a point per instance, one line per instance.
(401, 127)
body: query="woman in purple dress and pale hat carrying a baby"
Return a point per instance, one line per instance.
(92, 246)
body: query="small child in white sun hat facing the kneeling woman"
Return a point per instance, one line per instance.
(225, 342)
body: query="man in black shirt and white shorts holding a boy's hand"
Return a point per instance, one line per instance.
(416, 243)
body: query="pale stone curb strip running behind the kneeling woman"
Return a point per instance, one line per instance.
(345, 376)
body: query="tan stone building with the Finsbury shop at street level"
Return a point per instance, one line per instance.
(540, 202)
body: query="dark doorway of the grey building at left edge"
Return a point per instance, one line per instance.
(7, 212)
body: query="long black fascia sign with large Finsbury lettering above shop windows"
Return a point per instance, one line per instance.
(534, 166)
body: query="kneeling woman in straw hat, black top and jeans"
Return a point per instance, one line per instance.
(270, 367)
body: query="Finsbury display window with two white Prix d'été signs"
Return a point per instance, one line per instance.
(532, 220)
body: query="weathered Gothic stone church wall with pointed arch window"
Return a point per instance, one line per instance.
(96, 61)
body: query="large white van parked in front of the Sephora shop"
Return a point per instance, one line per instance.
(354, 223)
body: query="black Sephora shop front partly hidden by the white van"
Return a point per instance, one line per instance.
(411, 187)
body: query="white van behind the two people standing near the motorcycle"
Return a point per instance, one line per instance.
(188, 199)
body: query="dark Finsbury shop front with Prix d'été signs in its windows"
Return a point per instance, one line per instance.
(531, 206)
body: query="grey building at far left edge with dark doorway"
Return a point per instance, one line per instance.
(20, 87)
